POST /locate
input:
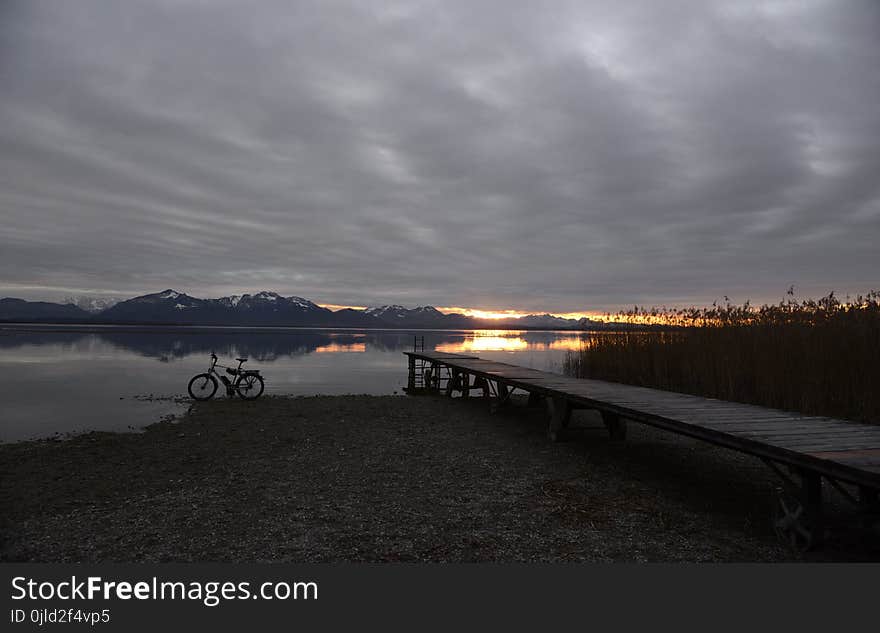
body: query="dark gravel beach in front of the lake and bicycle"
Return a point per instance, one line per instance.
(365, 478)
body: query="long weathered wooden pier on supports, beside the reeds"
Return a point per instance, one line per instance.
(804, 451)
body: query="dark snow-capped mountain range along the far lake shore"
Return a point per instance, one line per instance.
(263, 309)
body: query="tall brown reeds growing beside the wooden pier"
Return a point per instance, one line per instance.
(819, 357)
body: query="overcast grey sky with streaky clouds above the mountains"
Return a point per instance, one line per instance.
(537, 156)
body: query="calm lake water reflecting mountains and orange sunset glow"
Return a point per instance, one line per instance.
(71, 380)
